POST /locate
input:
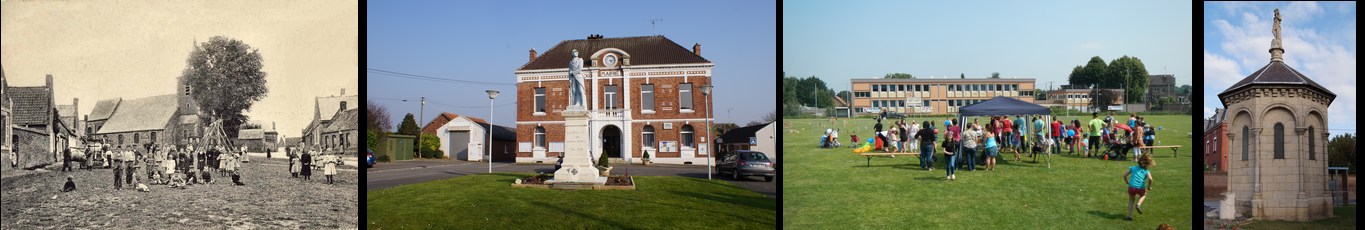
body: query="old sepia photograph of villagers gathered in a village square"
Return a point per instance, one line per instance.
(179, 116)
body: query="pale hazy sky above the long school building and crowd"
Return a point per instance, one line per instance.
(1045, 40)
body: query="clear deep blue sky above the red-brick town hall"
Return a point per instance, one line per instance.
(489, 40)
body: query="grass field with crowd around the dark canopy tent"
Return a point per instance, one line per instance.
(836, 188)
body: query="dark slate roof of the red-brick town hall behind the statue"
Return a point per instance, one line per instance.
(646, 50)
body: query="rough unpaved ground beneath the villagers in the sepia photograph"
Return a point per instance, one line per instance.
(270, 201)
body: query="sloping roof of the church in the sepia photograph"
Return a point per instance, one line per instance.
(143, 114)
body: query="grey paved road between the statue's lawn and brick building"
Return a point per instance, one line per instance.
(413, 172)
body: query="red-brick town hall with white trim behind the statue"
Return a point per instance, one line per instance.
(645, 94)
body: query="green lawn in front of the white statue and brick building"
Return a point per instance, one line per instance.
(489, 202)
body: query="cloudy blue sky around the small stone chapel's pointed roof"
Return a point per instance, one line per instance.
(1319, 43)
